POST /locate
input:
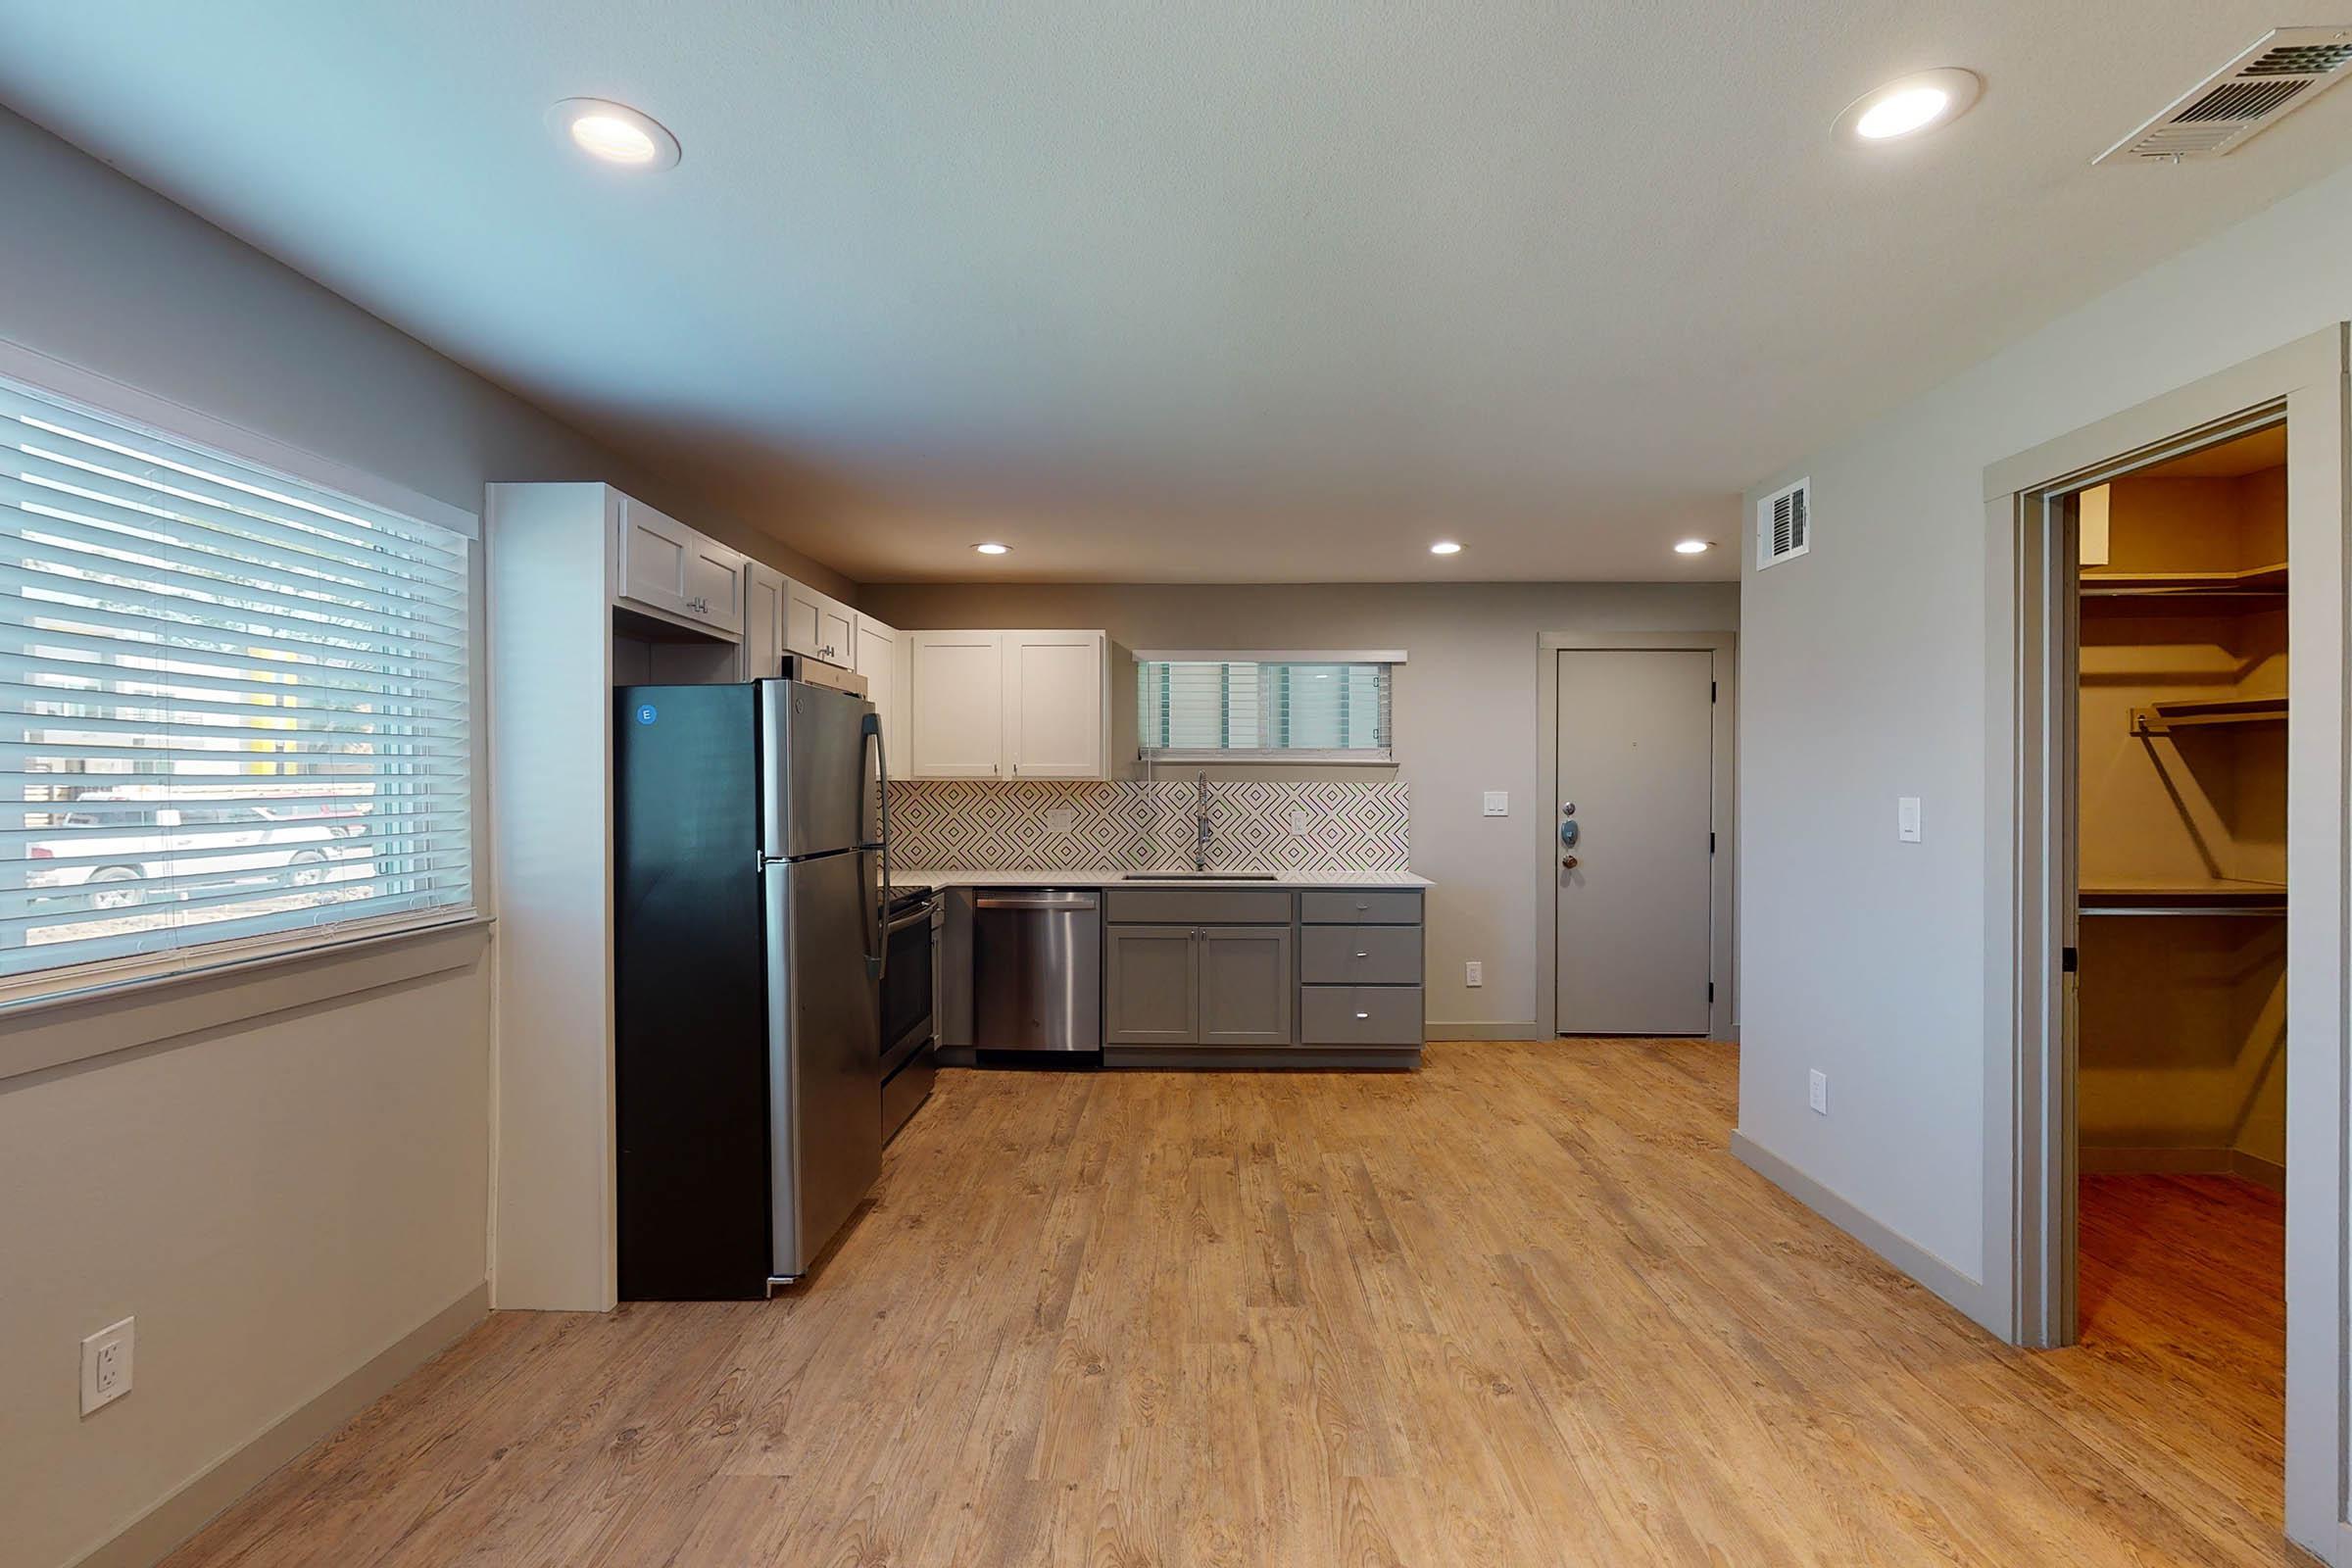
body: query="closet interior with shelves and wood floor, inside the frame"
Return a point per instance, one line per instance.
(2181, 883)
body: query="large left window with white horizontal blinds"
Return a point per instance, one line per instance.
(234, 709)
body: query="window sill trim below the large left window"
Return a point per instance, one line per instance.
(86, 1024)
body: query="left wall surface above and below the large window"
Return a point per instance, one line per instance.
(281, 1200)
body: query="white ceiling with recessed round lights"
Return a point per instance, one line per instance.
(1187, 293)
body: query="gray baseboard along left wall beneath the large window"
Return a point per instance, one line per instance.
(199, 1501)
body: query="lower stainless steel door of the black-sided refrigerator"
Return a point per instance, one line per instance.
(824, 1052)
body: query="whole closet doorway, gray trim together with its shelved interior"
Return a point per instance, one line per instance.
(2090, 709)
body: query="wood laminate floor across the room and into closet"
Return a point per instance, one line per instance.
(1521, 1308)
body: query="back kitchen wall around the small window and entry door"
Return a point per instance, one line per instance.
(1464, 716)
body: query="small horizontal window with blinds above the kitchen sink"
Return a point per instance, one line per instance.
(1281, 709)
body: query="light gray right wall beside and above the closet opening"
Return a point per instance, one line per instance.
(1864, 678)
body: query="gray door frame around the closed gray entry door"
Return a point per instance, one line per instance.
(1723, 958)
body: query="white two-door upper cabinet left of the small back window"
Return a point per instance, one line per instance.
(1008, 706)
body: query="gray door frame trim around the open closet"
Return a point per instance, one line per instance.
(2031, 878)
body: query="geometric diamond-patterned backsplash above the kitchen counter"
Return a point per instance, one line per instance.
(1132, 826)
